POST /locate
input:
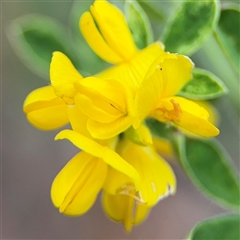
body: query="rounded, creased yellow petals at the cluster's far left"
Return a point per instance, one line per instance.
(45, 110)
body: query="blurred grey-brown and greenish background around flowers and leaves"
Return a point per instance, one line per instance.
(31, 158)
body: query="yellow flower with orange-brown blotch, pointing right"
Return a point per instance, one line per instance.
(156, 96)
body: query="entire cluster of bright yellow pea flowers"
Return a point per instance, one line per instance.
(106, 113)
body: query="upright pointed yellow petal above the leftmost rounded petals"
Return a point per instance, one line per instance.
(63, 74)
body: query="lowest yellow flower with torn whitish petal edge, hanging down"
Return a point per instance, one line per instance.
(121, 201)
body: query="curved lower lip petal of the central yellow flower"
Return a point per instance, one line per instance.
(107, 130)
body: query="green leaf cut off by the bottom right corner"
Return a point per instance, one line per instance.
(223, 227)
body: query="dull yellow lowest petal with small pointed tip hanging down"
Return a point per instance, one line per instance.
(122, 208)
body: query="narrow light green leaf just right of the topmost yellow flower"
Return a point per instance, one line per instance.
(139, 24)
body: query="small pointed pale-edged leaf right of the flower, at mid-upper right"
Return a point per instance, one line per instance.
(203, 86)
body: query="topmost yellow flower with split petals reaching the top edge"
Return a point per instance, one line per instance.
(111, 40)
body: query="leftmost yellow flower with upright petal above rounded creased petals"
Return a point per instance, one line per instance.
(47, 107)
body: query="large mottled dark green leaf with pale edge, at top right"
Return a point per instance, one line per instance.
(190, 26)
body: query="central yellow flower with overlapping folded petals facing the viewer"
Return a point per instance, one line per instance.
(107, 103)
